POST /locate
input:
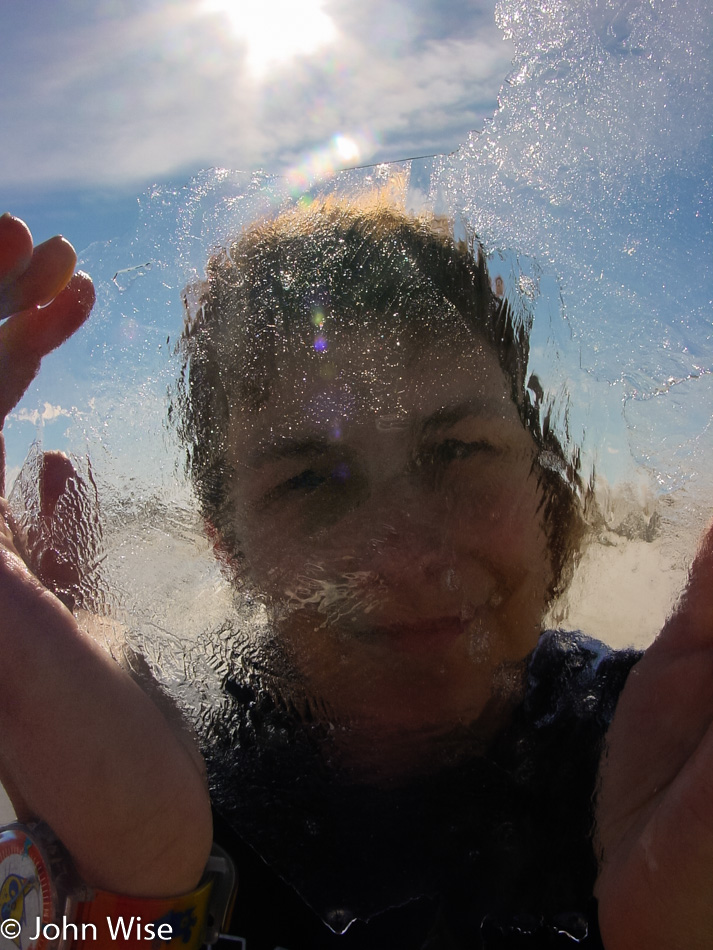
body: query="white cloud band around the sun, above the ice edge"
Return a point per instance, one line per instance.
(104, 100)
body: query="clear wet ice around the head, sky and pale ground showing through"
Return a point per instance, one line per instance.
(591, 190)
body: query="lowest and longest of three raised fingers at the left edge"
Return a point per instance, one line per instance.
(26, 337)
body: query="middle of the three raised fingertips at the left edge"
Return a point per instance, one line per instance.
(48, 272)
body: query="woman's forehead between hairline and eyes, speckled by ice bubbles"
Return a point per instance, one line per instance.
(373, 379)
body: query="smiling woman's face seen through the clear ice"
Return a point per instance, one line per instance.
(389, 513)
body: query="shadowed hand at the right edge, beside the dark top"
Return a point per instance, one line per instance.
(655, 806)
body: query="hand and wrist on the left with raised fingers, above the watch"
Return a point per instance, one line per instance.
(82, 746)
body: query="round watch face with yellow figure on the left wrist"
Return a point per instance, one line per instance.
(26, 904)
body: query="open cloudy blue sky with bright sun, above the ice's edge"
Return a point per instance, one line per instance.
(101, 98)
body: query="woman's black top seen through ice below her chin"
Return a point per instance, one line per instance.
(492, 853)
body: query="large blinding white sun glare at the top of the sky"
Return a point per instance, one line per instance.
(275, 30)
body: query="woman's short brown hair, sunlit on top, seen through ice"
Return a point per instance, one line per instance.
(351, 266)
